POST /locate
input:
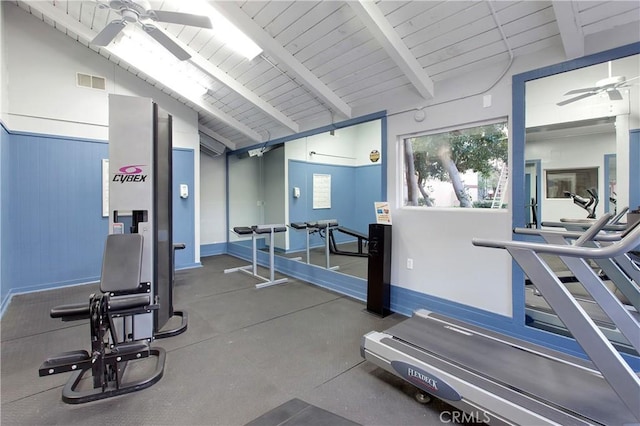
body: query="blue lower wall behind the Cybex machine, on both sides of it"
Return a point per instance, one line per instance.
(53, 231)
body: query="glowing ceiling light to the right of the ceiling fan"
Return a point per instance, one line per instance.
(223, 29)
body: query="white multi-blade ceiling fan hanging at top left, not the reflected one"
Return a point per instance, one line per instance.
(140, 11)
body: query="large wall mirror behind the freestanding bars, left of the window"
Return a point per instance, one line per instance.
(332, 174)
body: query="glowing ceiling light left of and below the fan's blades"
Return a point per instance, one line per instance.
(159, 64)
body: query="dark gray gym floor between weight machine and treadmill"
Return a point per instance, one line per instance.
(246, 351)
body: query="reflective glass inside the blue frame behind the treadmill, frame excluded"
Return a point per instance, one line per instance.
(576, 134)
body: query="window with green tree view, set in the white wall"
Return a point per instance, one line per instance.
(460, 168)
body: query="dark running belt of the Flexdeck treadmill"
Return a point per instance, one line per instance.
(574, 389)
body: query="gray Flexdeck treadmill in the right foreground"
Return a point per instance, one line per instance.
(500, 379)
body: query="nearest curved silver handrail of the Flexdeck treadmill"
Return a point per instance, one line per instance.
(626, 243)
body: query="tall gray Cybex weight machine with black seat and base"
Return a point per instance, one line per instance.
(135, 301)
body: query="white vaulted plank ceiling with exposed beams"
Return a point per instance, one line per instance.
(327, 61)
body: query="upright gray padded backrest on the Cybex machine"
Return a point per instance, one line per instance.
(121, 263)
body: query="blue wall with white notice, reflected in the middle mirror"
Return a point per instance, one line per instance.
(353, 192)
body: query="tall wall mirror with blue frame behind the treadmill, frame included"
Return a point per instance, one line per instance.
(574, 138)
